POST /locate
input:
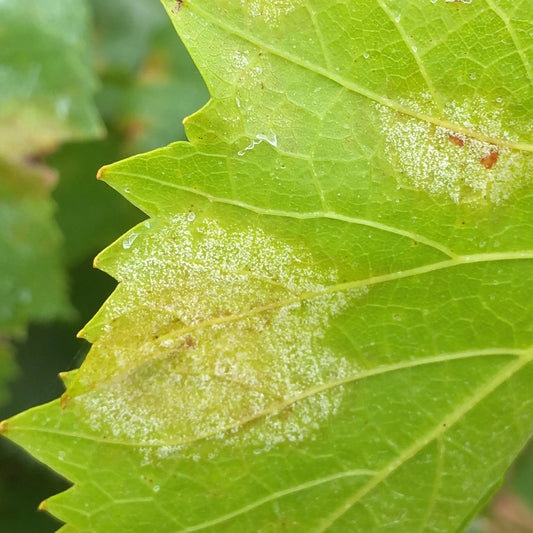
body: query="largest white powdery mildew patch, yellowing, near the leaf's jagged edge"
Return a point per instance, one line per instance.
(223, 365)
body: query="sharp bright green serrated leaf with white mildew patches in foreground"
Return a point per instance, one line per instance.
(325, 324)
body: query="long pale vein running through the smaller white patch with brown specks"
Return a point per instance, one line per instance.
(353, 87)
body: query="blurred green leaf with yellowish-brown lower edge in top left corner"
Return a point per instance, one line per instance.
(46, 81)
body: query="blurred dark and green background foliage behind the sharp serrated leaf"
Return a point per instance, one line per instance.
(84, 83)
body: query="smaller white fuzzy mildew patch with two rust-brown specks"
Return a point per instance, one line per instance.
(449, 164)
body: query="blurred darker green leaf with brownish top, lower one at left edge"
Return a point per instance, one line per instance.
(32, 281)
